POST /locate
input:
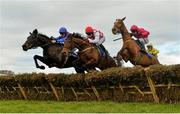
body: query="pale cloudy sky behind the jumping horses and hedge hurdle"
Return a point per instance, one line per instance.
(19, 17)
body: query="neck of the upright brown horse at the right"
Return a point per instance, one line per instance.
(125, 34)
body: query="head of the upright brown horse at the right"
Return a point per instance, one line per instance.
(117, 26)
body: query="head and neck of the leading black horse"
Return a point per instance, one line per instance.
(35, 40)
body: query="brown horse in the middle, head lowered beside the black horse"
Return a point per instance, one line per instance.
(88, 53)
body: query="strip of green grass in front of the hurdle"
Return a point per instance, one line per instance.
(54, 106)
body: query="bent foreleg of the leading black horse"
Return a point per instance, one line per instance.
(42, 59)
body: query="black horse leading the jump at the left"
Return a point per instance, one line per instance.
(51, 52)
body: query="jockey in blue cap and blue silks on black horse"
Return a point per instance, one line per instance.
(62, 38)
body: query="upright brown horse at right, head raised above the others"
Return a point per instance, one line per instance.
(130, 50)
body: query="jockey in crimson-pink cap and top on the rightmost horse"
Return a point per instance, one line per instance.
(141, 34)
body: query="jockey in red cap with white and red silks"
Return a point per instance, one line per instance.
(96, 37)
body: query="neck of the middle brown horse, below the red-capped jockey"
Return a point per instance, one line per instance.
(80, 43)
